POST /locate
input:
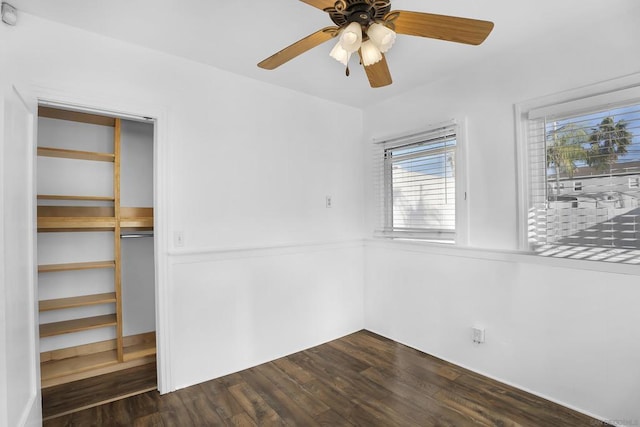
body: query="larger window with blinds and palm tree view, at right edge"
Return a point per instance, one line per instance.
(593, 143)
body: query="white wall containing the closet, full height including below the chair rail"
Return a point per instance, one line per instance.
(248, 165)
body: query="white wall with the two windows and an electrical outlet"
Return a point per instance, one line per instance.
(555, 329)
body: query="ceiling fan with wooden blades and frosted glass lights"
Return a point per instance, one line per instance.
(369, 27)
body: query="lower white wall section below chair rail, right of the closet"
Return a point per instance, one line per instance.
(259, 305)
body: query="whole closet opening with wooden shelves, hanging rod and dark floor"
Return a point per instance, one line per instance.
(96, 257)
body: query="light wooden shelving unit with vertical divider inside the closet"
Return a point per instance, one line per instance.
(91, 359)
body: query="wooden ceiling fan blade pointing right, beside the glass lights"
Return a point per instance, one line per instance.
(449, 28)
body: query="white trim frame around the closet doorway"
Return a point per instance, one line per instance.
(118, 106)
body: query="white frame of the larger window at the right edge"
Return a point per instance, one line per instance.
(609, 94)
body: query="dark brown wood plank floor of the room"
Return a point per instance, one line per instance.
(359, 380)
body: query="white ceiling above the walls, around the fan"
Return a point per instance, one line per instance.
(235, 35)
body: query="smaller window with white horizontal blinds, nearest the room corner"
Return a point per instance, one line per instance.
(417, 185)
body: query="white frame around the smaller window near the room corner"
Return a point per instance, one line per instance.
(382, 181)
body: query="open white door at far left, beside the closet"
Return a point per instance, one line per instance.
(19, 373)
